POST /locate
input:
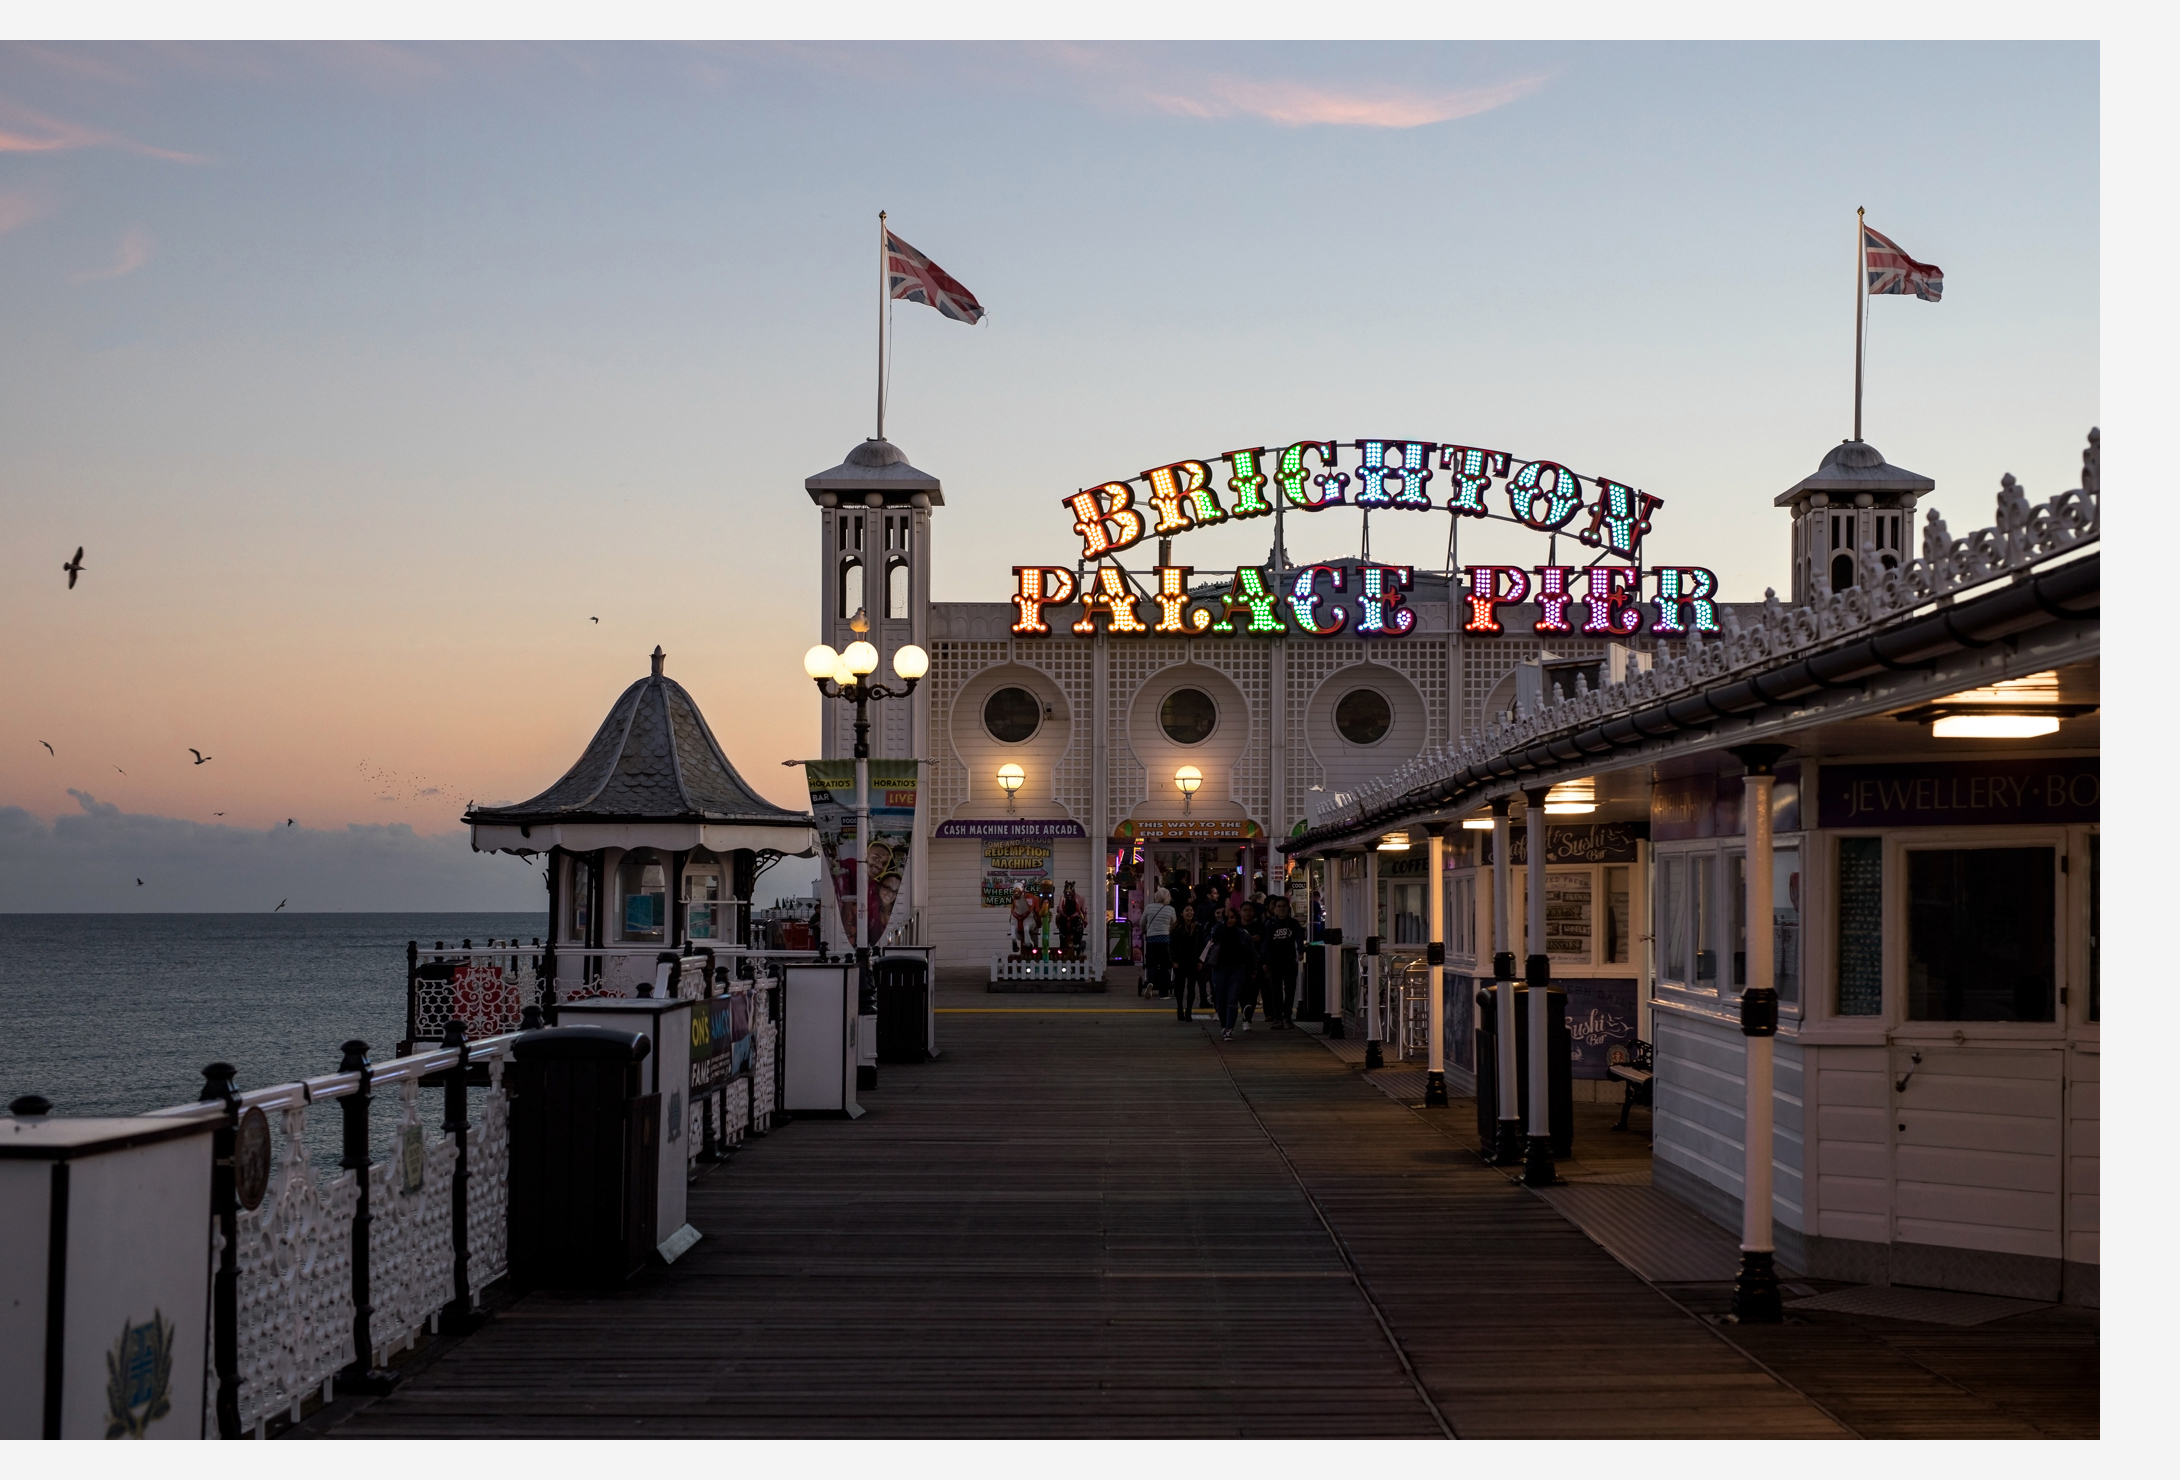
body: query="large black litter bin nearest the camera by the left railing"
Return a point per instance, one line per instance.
(583, 1169)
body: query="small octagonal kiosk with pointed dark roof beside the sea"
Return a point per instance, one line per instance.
(653, 845)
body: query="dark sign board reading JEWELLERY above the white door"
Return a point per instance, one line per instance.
(1952, 794)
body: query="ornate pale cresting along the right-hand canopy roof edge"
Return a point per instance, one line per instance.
(2022, 539)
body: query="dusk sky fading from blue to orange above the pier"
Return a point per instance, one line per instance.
(367, 376)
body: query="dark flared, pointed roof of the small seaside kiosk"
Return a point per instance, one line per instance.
(653, 760)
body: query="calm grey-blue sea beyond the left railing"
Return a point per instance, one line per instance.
(119, 1015)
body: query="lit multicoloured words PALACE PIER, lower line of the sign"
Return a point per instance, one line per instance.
(1324, 601)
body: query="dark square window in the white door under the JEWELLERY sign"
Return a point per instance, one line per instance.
(1981, 936)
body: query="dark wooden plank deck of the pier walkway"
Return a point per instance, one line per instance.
(1089, 1220)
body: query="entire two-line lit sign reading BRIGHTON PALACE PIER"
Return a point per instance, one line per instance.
(1361, 598)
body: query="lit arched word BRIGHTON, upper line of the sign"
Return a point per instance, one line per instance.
(1390, 476)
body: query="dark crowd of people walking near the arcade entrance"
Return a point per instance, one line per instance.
(1228, 951)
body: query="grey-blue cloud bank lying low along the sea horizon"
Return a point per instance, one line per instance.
(90, 862)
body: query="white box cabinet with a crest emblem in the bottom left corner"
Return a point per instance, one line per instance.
(106, 1300)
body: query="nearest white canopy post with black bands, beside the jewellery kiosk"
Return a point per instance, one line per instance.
(1756, 1289)
